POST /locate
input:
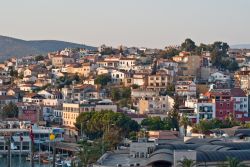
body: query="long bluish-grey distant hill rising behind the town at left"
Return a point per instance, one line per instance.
(10, 47)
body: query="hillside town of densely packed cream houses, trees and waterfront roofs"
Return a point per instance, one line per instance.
(127, 106)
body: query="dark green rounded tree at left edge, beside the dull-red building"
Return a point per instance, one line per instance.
(10, 111)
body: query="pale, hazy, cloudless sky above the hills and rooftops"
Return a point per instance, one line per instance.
(142, 23)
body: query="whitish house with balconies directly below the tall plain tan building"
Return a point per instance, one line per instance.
(185, 88)
